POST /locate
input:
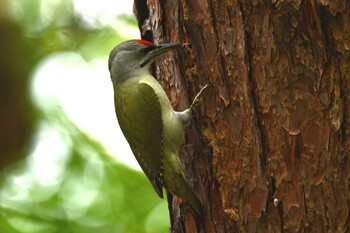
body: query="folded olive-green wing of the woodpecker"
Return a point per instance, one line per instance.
(139, 116)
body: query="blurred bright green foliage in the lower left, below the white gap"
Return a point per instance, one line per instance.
(93, 193)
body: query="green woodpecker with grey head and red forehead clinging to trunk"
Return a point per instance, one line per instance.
(152, 128)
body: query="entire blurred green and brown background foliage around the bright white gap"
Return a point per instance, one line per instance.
(91, 191)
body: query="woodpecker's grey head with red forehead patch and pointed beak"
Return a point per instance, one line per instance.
(134, 57)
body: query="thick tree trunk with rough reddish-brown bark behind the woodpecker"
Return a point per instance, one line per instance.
(268, 151)
